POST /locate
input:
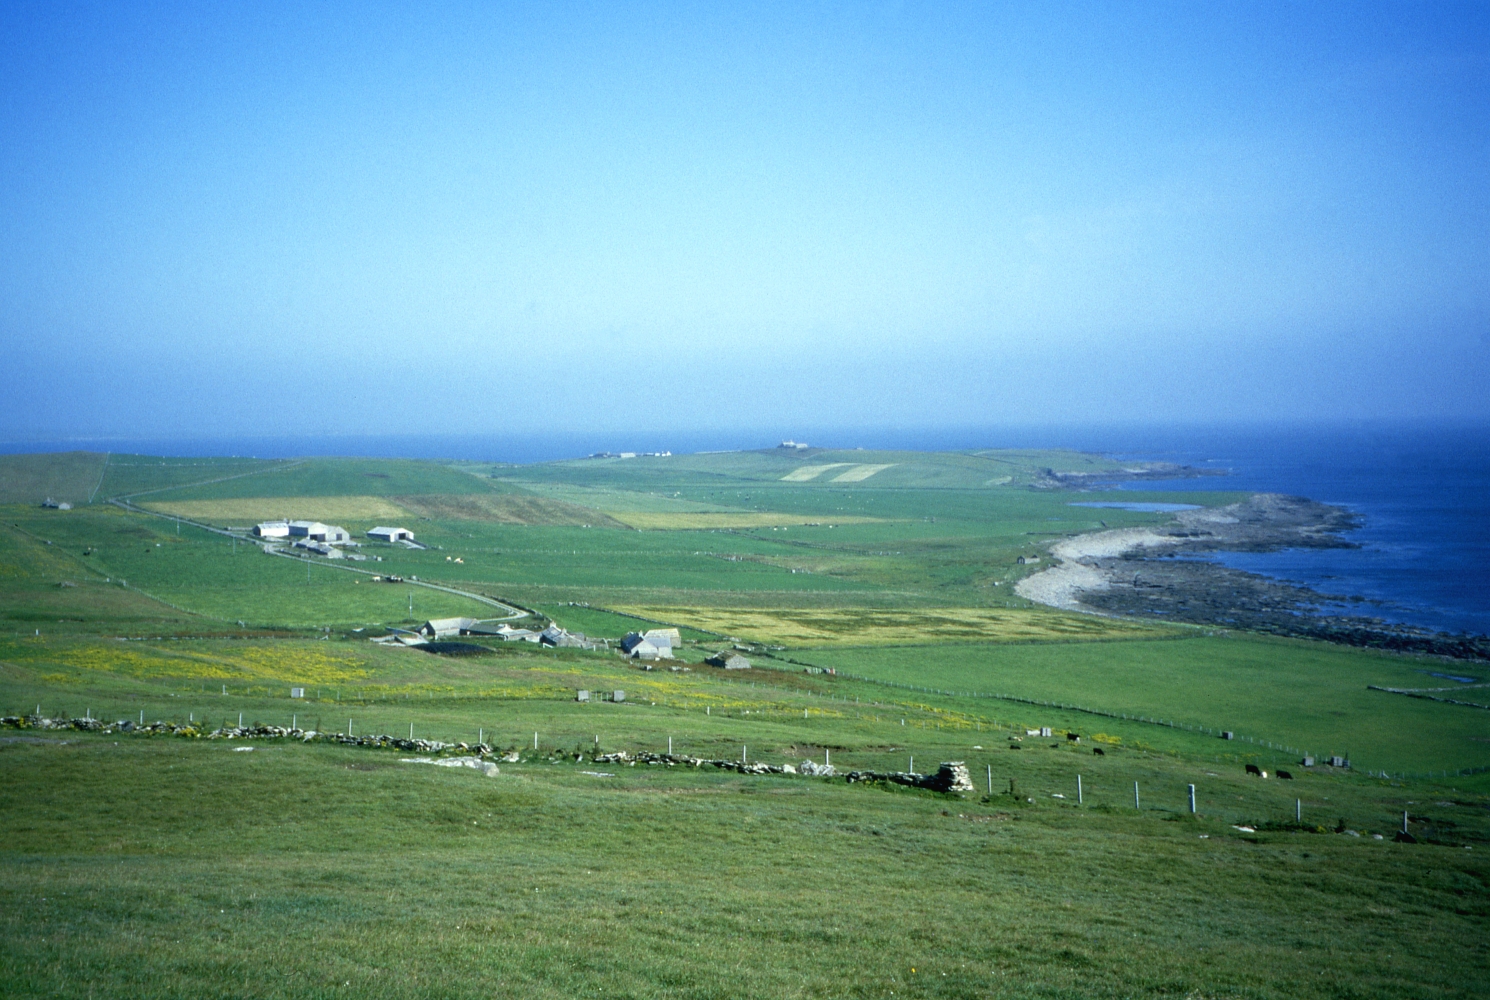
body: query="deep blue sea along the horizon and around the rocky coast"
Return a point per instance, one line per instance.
(1422, 493)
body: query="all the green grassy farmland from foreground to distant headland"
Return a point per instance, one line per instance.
(172, 867)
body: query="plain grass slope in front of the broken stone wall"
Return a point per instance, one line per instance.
(168, 868)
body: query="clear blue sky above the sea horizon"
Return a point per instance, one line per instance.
(484, 218)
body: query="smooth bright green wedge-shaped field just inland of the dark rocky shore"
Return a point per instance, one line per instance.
(1307, 695)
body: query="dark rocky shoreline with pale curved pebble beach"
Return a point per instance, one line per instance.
(1161, 573)
